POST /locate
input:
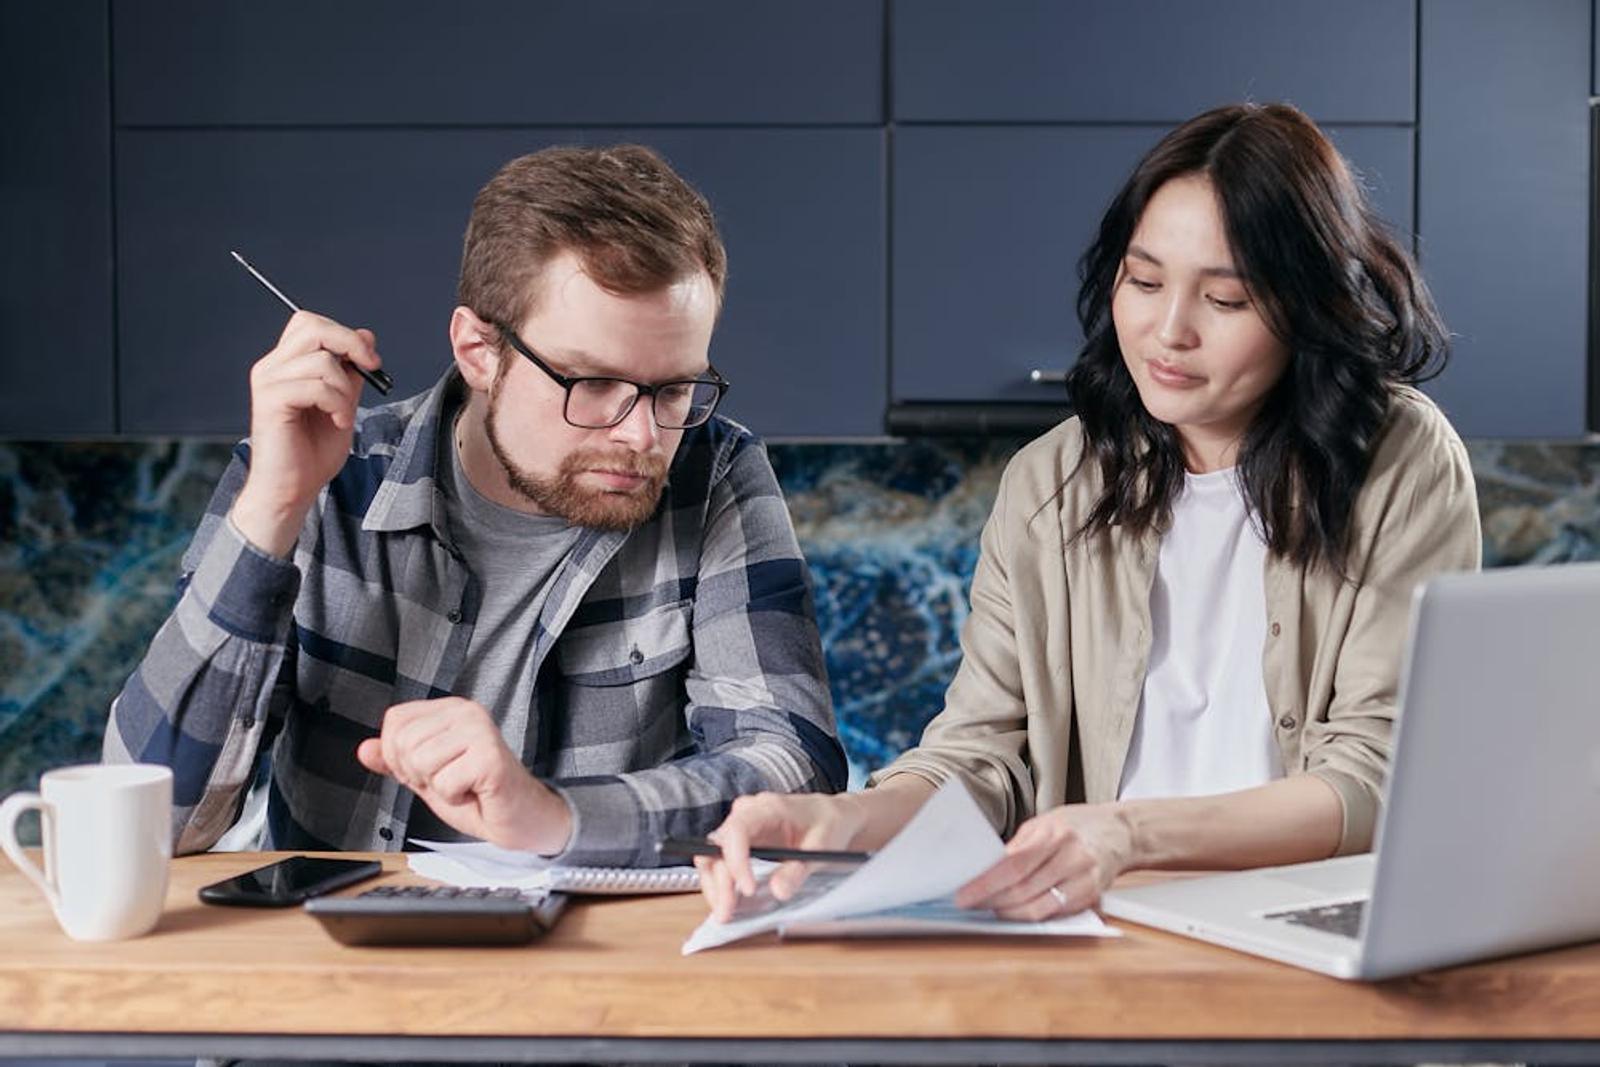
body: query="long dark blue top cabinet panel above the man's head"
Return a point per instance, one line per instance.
(498, 62)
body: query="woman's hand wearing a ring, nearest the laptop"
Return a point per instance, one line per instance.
(1057, 865)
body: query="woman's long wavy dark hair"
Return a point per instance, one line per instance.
(1329, 281)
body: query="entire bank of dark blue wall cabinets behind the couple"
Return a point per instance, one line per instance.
(905, 188)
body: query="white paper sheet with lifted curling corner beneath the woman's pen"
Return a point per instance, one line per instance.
(946, 845)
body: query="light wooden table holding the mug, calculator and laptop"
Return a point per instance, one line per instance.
(612, 985)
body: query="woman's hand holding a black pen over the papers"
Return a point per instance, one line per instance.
(775, 821)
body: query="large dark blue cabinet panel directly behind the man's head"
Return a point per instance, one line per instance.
(366, 226)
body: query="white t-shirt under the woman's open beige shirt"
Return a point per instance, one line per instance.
(1204, 722)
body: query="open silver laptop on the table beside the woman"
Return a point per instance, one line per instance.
(1490, 834)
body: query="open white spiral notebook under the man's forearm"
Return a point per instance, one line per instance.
(484, 865)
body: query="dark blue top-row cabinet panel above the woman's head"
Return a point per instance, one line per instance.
(1151, 62)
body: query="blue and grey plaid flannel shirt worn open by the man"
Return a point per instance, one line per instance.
(678, 665)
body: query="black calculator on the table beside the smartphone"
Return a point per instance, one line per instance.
(438, 916)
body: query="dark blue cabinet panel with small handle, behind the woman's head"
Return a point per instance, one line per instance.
(990, 225)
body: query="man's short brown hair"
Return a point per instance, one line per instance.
(631, 220)
